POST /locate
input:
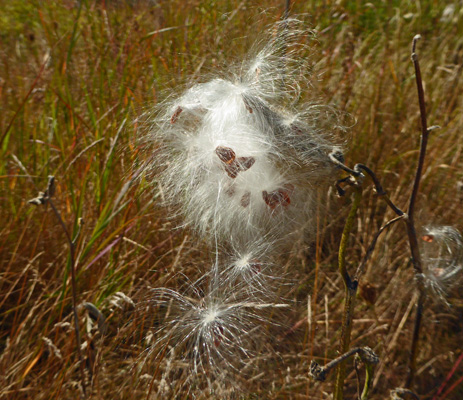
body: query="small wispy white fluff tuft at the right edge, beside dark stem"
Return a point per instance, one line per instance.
(442, 259)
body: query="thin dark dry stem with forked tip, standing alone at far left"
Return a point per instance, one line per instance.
(43, 198)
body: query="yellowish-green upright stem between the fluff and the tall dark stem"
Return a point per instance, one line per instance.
(350, 292)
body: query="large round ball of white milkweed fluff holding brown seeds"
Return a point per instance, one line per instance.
(235, 158)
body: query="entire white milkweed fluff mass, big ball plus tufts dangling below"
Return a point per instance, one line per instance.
(242, 164)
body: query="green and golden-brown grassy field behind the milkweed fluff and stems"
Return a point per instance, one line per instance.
(76, 79)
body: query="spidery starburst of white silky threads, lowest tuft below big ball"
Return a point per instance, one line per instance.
(211, 333)
